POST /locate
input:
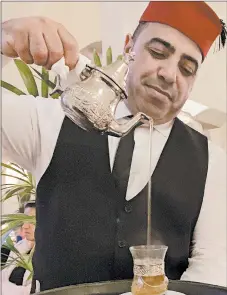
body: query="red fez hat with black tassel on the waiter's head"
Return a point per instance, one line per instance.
(194, 19)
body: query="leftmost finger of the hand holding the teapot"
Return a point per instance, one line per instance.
(22, 47)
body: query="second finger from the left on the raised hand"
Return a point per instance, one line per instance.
(38, 48)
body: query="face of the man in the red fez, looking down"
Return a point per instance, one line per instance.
(164, 70)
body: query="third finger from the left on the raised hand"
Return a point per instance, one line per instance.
(54, 47)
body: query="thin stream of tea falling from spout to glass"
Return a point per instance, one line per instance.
(149, 190)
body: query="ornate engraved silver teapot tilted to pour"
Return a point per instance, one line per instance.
(91, 103)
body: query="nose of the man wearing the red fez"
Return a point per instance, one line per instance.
(167, 72)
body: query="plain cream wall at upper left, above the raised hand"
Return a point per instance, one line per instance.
(82, 19)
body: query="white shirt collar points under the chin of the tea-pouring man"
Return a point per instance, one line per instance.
(123, 111)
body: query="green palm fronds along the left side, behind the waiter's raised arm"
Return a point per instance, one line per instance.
(21, 185)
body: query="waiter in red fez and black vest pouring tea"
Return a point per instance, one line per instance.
(92, 189)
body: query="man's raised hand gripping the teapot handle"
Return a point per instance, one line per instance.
(39, 40)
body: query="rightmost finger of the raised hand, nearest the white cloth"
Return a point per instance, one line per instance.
(70, 47)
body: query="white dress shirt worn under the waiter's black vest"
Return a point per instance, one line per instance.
(30, 128)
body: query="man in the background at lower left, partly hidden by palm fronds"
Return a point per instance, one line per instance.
(15, 278)
